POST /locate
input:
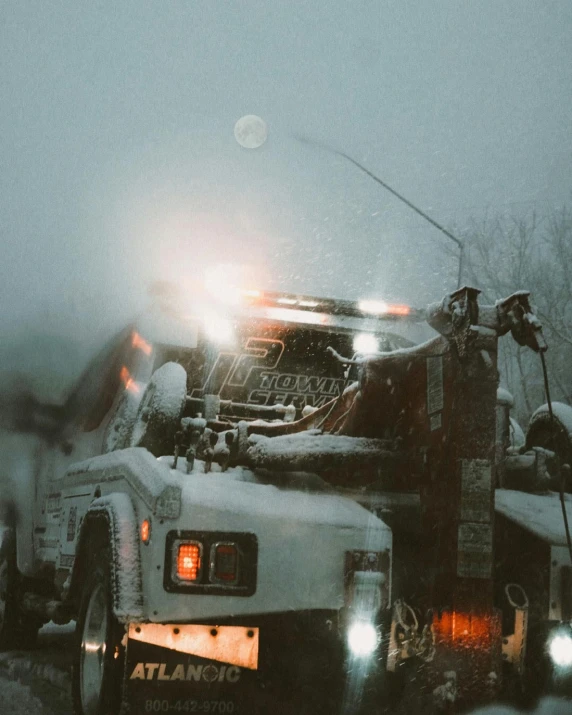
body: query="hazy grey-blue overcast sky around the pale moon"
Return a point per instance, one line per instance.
(119, 164)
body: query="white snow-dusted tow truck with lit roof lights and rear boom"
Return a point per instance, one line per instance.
(292, 505)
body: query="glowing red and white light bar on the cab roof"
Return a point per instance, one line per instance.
(329, 306)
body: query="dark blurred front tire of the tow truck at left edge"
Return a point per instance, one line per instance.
(18, 630)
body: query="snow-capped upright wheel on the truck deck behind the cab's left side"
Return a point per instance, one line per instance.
(160, 410)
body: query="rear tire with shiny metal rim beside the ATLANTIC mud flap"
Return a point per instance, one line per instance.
(97, 671)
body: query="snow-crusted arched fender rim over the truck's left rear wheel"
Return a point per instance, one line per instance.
(113, 517)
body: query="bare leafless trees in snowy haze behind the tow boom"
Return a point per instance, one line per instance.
(532, 253)
